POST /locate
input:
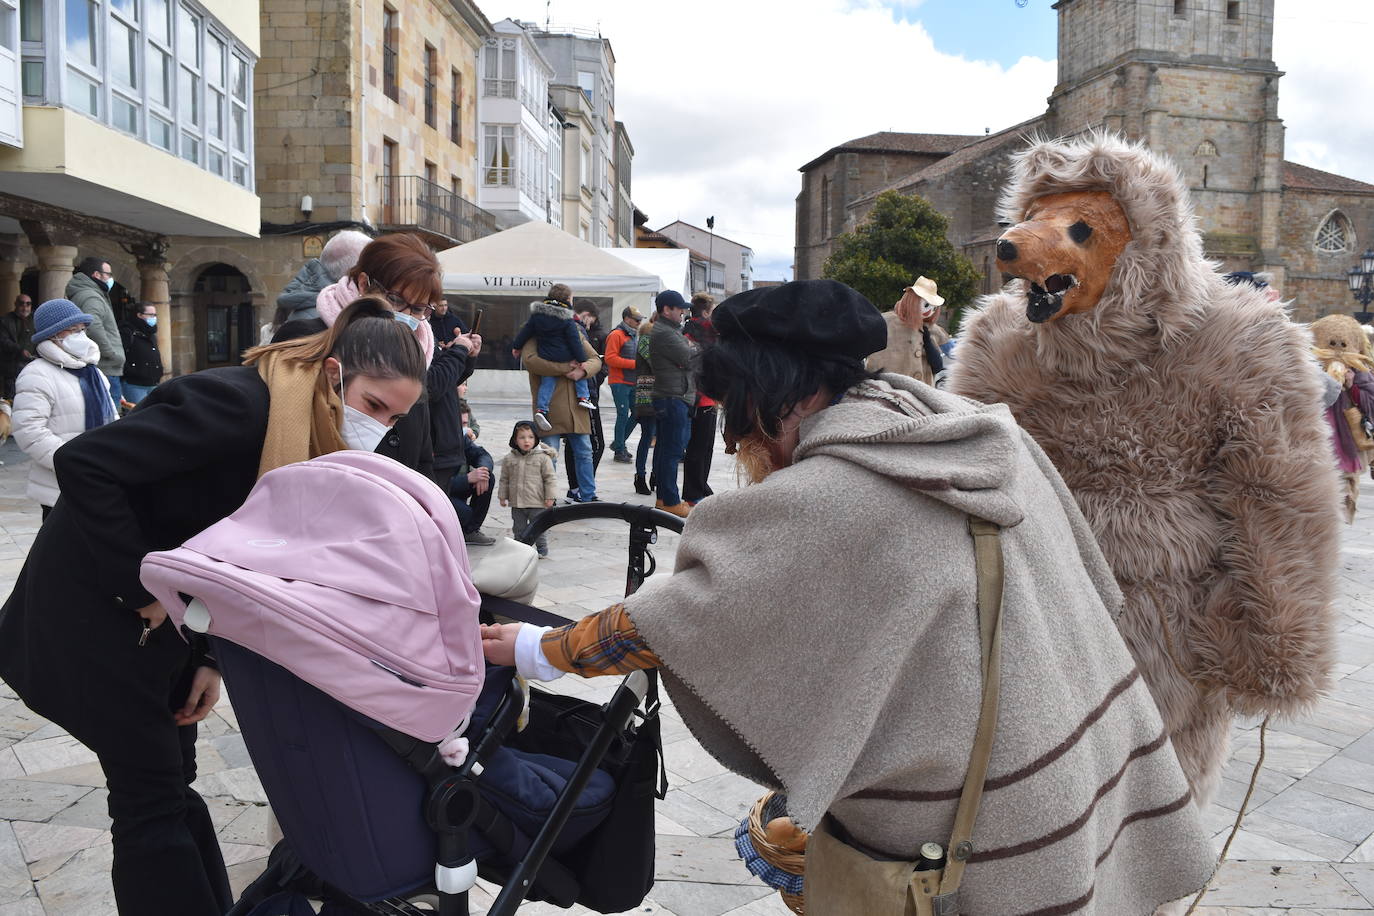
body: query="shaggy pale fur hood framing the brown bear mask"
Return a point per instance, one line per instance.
(1162, 282)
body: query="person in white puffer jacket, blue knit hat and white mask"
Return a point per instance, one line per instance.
(60, 396)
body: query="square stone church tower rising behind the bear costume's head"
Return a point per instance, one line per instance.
(1196, 80)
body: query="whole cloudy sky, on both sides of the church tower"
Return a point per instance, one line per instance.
(725, 100)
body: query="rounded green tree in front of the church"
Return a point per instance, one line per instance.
(902, 240)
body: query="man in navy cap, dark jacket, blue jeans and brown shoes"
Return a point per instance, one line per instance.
(675, 393)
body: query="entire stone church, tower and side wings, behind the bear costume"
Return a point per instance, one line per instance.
(1193, 79)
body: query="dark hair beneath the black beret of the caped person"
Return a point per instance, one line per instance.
(758, 382)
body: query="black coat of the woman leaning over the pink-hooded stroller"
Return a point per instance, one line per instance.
(179, 463)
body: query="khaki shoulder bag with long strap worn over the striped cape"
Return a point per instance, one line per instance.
(844, 881)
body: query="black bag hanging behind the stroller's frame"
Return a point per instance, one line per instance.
(615, 865)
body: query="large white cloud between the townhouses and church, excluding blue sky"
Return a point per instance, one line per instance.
(725, 100)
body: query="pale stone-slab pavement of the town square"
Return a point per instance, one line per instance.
(1307, 848)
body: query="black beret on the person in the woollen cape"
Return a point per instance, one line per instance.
(821, 317)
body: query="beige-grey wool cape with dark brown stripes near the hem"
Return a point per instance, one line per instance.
(821, 635)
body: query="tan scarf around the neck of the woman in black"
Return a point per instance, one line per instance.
(304, 414)
